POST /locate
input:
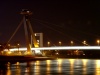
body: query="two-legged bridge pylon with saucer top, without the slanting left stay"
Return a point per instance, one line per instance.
(26, 13)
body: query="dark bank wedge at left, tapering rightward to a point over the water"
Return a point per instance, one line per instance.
(22, 58)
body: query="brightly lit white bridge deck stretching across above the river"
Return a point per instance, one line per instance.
(61, 48)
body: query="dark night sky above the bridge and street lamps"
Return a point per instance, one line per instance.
(59, 20)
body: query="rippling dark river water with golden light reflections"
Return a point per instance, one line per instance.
(54, 67)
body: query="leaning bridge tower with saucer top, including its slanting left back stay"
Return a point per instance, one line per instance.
(26, 13)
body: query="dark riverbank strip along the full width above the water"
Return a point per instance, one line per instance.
(13, 59)
